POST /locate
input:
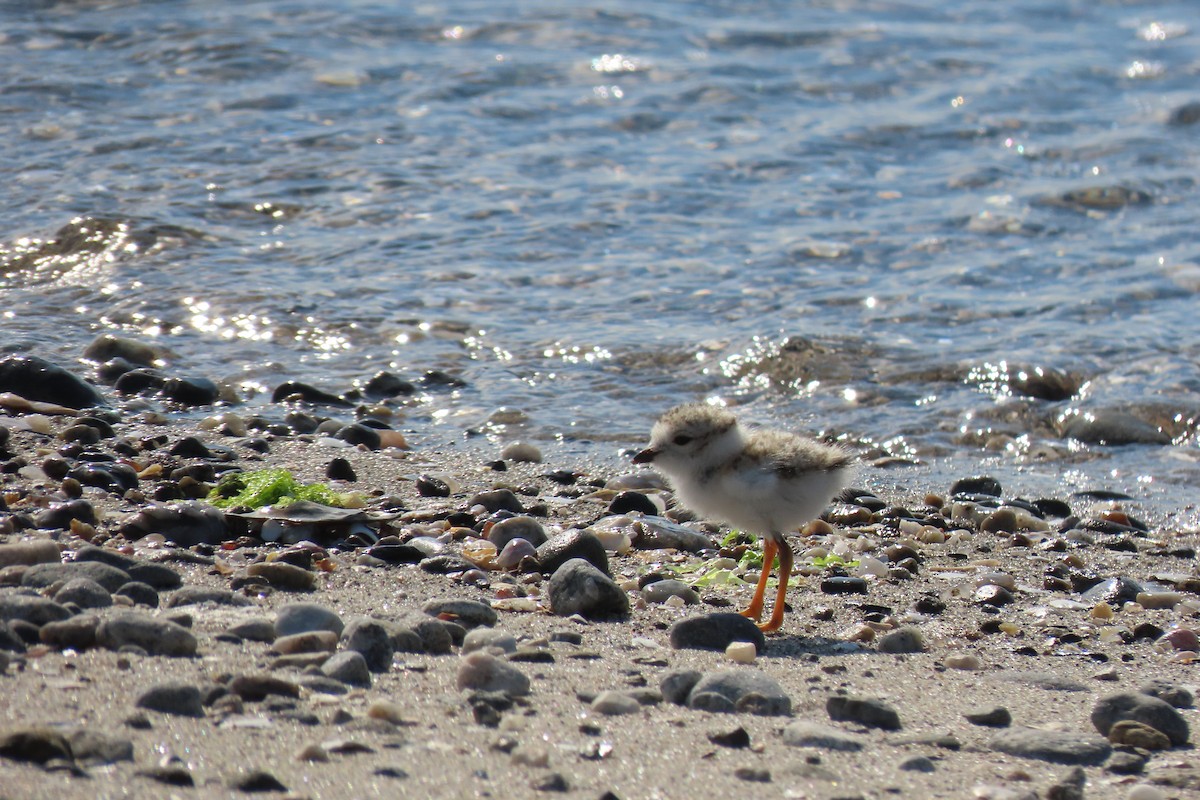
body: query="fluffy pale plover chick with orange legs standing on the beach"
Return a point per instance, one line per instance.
(764, 482)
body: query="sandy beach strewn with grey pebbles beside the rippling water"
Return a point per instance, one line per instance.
(507, 628)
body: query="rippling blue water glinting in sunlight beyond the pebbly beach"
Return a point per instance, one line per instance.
(860, 219)
